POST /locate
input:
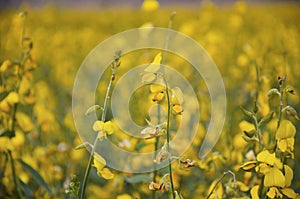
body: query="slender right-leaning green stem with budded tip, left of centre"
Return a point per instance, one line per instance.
(105, 105)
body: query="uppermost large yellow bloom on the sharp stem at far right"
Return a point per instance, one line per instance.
(285, 136)
